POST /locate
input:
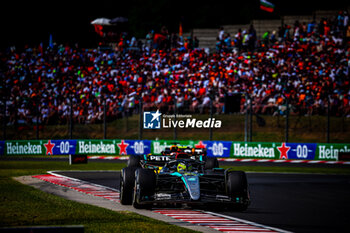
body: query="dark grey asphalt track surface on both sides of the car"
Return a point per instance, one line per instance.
(293, 202)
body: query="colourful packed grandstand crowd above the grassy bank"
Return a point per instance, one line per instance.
(306, 64)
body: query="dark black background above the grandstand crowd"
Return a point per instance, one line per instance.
(32, 22)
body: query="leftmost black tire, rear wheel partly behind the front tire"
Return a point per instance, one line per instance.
(127, 181)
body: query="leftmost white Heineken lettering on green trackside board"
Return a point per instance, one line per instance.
(23, 148)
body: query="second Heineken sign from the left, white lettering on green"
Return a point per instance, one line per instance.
(96, 148)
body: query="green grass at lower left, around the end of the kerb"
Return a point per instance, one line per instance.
(21, 205)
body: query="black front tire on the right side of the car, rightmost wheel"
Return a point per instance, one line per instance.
(237, 186)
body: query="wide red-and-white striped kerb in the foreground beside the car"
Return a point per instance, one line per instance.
(198, 217)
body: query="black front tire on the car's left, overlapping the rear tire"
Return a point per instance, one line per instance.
(145, 184)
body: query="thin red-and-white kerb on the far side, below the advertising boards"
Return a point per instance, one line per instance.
(242, 160)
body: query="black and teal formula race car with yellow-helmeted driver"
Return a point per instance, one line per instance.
(182, 180)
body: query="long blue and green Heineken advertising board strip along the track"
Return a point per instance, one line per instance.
(225, 149)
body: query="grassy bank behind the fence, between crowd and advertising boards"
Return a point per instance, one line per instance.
(302, 129)
